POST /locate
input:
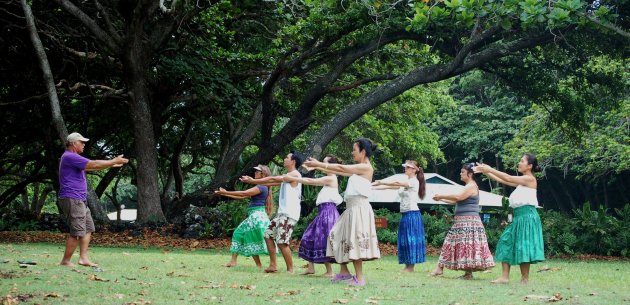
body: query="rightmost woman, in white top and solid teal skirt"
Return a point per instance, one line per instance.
(522, 242)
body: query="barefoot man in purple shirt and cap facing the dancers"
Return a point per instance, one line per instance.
(73, 196)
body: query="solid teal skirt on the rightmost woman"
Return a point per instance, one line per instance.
(522, 240)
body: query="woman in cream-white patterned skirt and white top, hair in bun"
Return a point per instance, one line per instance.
(353, 237)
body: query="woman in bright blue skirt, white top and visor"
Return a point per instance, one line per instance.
(411, 243)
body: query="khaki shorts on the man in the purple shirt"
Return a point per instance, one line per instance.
(77, 216)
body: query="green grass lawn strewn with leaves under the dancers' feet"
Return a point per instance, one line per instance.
(173, 276)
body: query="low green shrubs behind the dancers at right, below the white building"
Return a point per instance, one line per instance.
(584, 231)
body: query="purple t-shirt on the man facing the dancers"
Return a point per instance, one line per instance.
(72, 180)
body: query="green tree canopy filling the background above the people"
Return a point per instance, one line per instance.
(212, 88)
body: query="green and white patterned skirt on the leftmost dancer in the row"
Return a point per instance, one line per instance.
(248, 238)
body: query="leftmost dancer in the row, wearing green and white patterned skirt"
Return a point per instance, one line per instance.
(248, 238)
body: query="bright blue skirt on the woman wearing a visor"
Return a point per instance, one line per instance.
(411, 243)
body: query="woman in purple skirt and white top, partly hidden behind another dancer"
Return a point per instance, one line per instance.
(315, 238)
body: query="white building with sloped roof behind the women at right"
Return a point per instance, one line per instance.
(435, 184)
